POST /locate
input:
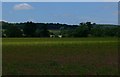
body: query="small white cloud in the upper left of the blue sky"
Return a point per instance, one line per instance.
(23, 6)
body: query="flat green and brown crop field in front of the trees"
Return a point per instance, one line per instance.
(60, 56)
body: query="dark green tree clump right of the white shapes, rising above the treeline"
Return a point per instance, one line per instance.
(82, 31)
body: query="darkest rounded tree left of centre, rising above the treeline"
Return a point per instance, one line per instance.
(29, 29)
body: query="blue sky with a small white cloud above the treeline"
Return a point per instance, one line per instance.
(61, 12)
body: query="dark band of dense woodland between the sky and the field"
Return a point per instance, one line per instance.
(31, 29)
